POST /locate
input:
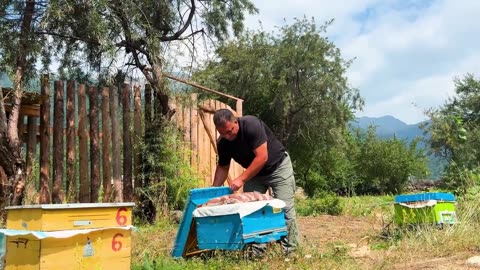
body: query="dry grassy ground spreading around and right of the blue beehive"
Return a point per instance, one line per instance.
(362, 237)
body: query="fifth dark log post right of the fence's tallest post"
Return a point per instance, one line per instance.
(106, 145)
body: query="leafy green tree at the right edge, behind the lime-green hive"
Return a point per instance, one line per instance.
(455, 133)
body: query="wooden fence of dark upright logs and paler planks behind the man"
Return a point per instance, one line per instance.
(88, 130)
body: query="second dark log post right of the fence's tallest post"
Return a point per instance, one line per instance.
(71, 186)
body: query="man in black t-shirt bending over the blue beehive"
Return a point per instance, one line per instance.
(267, 165)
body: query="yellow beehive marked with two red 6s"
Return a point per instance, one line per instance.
(69, 236)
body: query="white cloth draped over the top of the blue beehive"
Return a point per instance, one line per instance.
(242, 209)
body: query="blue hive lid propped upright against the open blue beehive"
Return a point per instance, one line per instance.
(186, 238)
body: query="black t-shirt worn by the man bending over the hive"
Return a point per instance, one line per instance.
(251, 134)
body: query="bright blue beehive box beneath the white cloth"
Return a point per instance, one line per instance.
(232, 232)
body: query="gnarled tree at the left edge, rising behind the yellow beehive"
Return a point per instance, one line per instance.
(18, 49)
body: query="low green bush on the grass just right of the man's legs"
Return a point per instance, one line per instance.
(322, 203)
